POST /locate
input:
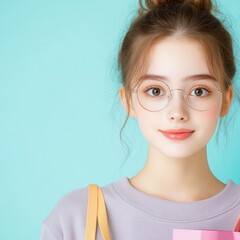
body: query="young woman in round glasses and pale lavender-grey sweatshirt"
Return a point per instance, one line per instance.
(177, 69)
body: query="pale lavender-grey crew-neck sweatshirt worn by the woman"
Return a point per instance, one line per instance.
(134, 215)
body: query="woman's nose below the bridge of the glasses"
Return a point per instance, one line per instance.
(177, 107)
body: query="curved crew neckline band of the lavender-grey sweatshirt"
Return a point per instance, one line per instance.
(177, 211)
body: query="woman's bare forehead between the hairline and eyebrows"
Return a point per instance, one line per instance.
(177, 58)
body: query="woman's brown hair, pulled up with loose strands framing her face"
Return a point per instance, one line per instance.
(158, 19)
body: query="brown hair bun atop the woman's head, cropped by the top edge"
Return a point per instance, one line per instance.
(149, 5)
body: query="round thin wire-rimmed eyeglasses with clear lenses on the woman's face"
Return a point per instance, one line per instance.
(200, 95)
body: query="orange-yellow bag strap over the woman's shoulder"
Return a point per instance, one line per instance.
(96, 212)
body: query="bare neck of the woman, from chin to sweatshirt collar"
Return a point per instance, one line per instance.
(182, 179)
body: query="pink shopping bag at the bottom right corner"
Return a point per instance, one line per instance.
(187, 234)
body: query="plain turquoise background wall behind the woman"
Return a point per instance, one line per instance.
(60, 113)
